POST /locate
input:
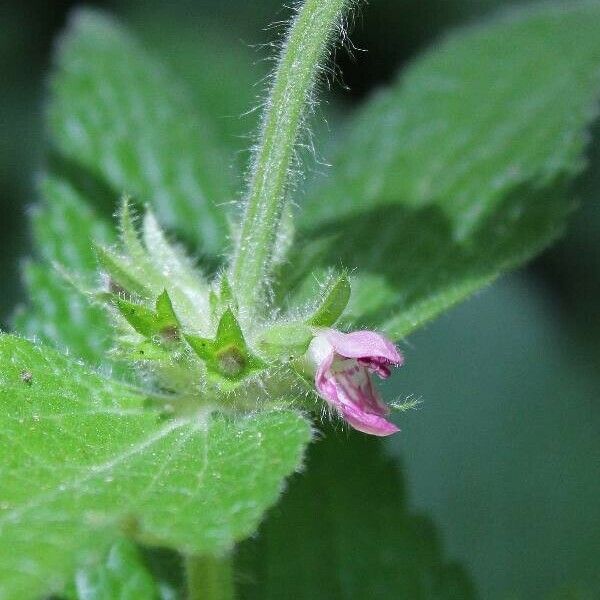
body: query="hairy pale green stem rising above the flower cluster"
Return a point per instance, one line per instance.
(306, 43)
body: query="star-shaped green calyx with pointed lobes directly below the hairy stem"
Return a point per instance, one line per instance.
(228, 355)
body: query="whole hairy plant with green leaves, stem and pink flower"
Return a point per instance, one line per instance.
(155, 400)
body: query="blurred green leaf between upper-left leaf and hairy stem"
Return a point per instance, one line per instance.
(223, 72)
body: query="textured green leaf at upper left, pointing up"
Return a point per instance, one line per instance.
(117, 115)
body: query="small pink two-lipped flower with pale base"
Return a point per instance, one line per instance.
(344, 362)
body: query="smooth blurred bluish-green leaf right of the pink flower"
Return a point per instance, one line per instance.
(503, 452)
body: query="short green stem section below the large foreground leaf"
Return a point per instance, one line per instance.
(209, 578)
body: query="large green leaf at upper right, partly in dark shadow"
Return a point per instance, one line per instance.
(461, 169)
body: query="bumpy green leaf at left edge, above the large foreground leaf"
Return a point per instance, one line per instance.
(59, 314)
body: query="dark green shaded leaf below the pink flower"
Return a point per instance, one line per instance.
(344, 531)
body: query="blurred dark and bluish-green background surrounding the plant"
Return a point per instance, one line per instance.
(503, 453)
